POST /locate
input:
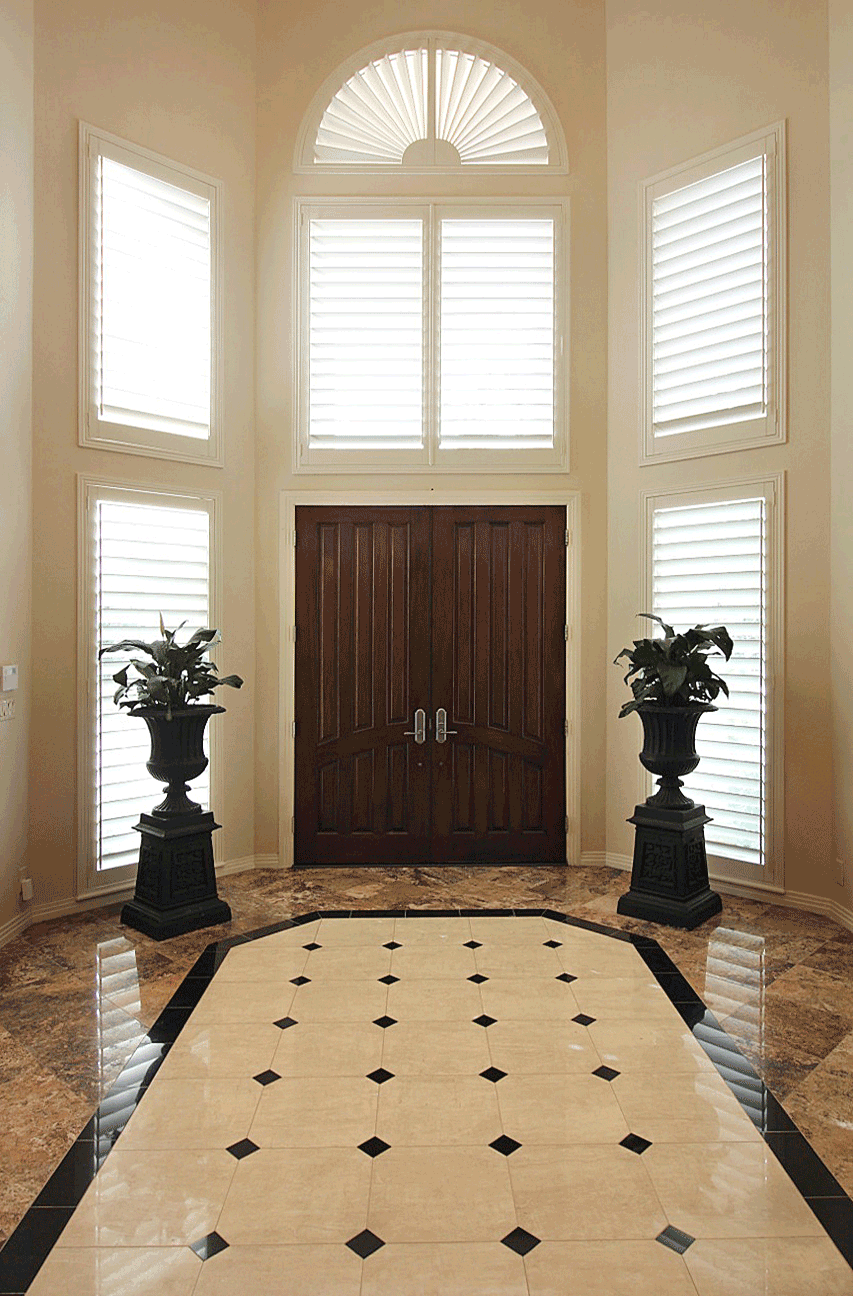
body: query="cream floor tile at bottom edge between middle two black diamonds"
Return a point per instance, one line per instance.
(445, 1269)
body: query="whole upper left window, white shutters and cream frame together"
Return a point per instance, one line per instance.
(150, 304)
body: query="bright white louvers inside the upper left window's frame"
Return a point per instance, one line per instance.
(152, 303)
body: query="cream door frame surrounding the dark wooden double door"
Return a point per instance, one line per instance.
(288, 505)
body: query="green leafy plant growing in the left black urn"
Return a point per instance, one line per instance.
(176, 677)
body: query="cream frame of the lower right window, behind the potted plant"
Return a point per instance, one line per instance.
(772, 488)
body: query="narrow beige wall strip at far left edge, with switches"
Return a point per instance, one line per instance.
(16, 418)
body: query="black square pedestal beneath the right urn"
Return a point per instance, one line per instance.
(670, 879)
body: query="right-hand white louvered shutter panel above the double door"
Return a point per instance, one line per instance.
(497, 334)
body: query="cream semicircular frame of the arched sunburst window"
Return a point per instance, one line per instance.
(305, 163)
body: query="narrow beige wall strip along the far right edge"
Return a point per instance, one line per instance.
(842, 423)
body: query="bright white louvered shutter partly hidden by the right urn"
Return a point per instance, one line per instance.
(710, 567)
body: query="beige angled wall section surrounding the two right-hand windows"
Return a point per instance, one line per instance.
(685, 78)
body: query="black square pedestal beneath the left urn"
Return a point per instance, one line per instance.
(176, 882)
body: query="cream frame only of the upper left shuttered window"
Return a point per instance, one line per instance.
(113, 436)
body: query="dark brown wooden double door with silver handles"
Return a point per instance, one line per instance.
(431, 686)
